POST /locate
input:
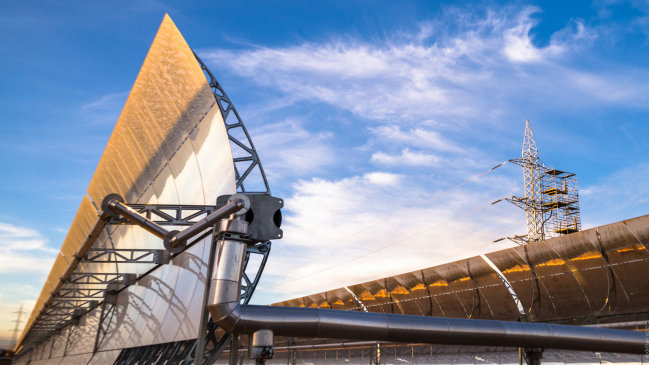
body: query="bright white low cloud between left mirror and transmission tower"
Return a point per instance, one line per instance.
(340, 232)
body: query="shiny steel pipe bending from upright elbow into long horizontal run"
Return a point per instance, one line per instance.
(326, 323)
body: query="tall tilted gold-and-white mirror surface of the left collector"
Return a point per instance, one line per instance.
(169, 146)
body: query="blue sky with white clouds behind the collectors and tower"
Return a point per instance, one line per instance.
(365, 116)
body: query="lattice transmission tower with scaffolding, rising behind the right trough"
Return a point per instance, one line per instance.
(551, 200)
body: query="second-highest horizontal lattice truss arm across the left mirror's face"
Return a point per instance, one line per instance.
(127, 256)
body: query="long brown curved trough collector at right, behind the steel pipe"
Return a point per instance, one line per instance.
(581, 278)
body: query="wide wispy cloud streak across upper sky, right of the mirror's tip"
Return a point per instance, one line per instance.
(487, 66)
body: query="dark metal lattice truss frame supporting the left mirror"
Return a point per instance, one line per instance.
(75, 298)
